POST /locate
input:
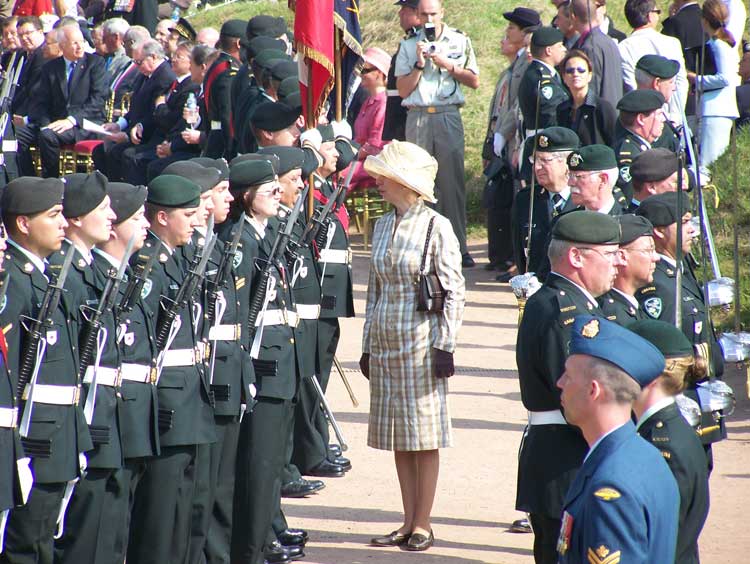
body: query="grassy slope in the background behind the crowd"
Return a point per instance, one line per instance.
(483, 22)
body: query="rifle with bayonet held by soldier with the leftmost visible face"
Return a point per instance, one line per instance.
(32, 356)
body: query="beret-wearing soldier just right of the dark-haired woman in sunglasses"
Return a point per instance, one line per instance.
(642, 122)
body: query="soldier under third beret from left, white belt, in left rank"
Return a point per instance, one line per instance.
(137, 400)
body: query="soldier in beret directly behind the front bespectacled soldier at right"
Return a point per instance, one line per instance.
(638, 259)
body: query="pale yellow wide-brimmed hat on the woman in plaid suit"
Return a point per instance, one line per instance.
(408, 164)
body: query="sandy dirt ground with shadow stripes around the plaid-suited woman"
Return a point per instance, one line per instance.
(476, 490)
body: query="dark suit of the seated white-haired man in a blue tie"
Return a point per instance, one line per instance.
(83, 97)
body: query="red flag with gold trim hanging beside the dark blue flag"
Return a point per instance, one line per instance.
(313, 35)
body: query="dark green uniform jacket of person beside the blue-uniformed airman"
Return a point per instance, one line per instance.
(668, 431)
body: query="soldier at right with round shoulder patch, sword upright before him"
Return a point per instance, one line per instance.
(659, 300)
